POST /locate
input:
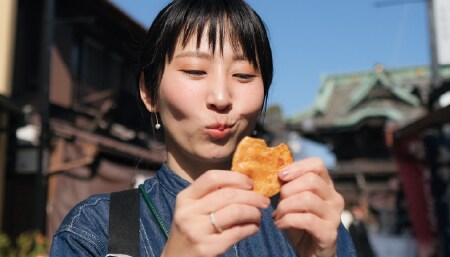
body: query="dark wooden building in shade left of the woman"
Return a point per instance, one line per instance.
(89, 133)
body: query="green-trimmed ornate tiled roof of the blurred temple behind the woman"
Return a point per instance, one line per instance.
(346, 100)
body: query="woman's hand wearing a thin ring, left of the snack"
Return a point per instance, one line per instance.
(234, 205)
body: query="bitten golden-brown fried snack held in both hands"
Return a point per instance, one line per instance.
(261, 163)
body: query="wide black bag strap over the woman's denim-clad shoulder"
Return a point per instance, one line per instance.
(124, 210)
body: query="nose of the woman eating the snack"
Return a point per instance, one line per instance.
(219, 97)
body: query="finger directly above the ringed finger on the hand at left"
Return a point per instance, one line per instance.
(226, 196)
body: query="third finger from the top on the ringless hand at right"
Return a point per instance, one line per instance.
(305, 202)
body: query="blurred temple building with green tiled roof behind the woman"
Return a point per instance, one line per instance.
(352, 115)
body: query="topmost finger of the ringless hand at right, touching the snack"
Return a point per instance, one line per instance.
(299, 168)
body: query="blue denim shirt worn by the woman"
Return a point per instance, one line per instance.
(84, 231)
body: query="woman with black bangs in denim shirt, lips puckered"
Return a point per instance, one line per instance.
(206, 69)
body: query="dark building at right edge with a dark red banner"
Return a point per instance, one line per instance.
(421, 150)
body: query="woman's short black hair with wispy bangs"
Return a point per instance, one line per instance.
(181, 19)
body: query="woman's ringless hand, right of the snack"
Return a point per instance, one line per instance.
(309, 209)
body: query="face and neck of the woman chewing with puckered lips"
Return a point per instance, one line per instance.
(208, 102)
